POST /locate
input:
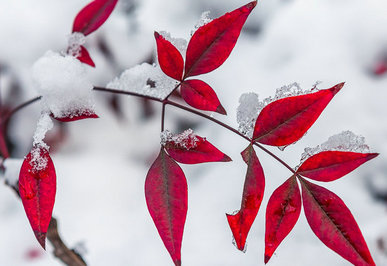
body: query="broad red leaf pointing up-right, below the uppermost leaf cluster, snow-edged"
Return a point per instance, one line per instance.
(285, 121)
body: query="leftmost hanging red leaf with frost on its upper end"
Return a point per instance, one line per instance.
(37, 187)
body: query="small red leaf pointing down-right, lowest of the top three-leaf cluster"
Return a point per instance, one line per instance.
(200, 95)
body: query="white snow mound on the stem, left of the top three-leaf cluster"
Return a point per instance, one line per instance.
(137, 79)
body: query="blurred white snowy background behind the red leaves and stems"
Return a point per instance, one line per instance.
(102, 163)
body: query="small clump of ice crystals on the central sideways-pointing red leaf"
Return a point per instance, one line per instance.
(186, 140)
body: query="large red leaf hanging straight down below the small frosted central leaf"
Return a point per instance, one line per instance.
(166, 197)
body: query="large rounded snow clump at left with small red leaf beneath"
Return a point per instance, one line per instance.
(63, 83)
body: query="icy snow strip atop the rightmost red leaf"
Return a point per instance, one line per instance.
(344, 141)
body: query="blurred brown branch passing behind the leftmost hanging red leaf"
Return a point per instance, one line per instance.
(68, 256)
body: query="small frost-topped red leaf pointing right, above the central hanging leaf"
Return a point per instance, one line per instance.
(190, 148)
